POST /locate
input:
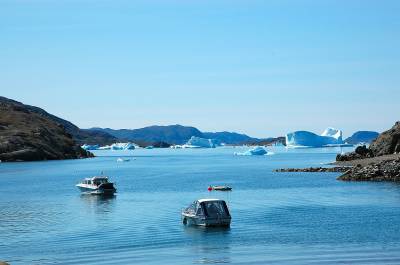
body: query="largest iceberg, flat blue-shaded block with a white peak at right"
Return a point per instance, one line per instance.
(330, 137)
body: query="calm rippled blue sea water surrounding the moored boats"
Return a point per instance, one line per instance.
(278, 218)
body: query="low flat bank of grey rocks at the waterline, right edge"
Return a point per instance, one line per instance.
(383, 171)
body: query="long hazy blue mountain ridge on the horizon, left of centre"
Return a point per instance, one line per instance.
(173, 134)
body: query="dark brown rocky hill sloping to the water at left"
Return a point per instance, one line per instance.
(29, 133)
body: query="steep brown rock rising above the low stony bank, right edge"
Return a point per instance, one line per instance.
(388, 142)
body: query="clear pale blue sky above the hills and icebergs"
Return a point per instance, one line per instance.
(258, 67)
